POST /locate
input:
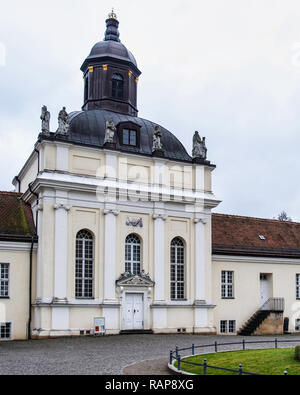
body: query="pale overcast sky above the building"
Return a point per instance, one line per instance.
(227, 68)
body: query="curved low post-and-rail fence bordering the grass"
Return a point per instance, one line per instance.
(176, 357)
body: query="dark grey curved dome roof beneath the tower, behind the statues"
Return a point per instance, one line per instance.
(88, 128)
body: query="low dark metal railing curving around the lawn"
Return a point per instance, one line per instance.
(216, 347)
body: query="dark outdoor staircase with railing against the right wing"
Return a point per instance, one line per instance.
(273, 305)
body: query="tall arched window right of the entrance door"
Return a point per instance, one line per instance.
(177, 269)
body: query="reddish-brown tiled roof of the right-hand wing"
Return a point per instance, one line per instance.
(237, 235)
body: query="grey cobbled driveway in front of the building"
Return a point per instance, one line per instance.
(100, 356)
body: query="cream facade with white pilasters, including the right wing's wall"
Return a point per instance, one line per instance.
(71, 199)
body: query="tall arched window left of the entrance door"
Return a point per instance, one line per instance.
(84, 271)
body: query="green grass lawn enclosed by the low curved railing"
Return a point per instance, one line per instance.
(267, 362)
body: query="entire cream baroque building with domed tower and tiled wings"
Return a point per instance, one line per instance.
(112, 219)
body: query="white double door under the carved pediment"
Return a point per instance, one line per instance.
(134, 314)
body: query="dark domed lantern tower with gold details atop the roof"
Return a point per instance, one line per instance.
(111, 74)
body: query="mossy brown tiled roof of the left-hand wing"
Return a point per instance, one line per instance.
(16, 218)
